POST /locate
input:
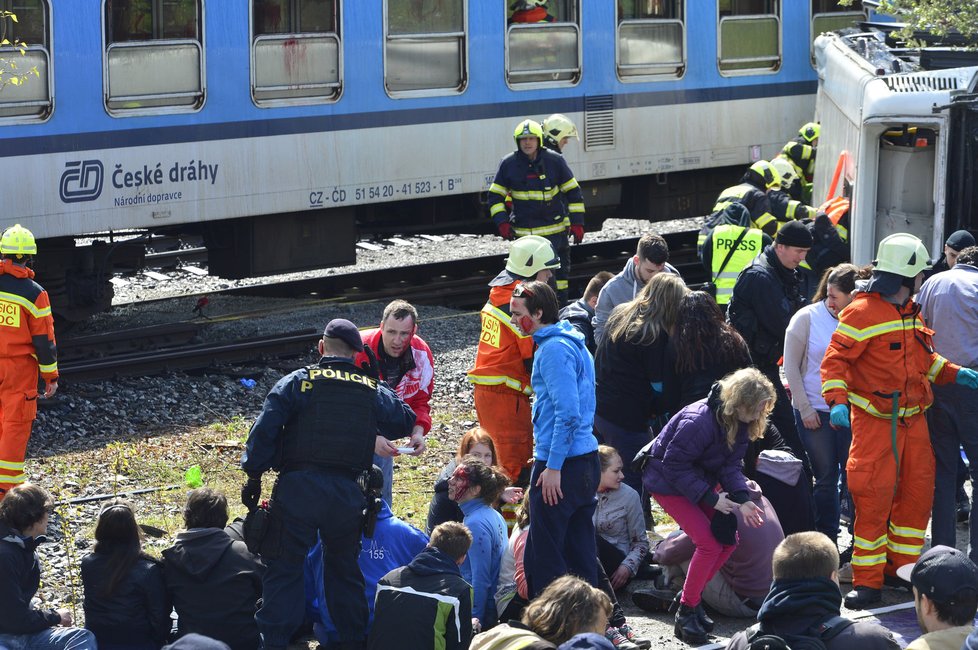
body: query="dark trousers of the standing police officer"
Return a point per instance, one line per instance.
(328, 502)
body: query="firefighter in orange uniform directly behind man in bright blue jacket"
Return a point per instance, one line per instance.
(502, 363)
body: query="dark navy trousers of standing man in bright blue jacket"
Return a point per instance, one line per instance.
(562, 537)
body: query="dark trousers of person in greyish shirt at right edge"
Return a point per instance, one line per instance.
(953, 422)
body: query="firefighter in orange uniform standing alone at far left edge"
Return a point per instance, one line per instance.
(27, 346)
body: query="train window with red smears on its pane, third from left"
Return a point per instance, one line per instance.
(296, 51)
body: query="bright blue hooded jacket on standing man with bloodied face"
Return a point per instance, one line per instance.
(563, 381)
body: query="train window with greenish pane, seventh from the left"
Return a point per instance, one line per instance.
(748, 36)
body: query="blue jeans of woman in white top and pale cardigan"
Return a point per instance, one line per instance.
(828, 450)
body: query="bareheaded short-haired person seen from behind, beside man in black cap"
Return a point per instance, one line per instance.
(802, 609)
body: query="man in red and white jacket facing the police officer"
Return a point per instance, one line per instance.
(406, 365)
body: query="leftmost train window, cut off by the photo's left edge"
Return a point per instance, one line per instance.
(30, 98)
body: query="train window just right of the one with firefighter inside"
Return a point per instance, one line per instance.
(651, 39)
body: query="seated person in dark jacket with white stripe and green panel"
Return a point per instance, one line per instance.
(427, 604)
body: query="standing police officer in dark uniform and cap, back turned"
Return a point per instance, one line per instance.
(318, 428)
